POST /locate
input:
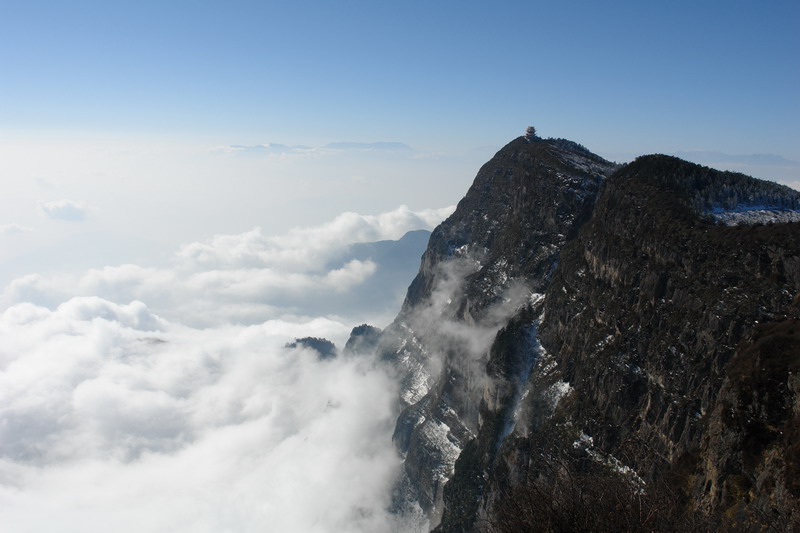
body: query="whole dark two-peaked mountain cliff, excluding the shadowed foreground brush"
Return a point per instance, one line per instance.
(557, 311)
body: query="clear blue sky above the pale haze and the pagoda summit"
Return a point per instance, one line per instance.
(623, 77)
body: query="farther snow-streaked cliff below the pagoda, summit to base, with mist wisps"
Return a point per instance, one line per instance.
(483, 264)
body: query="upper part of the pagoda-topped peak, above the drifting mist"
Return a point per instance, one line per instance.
(523, 205)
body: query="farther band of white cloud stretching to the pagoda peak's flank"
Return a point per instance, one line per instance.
(244, 278)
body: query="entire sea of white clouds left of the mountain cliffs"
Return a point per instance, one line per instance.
(141, 399)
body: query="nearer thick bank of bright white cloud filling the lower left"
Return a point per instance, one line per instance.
(114, 419)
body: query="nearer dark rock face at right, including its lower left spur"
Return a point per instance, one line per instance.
(667, 347)
